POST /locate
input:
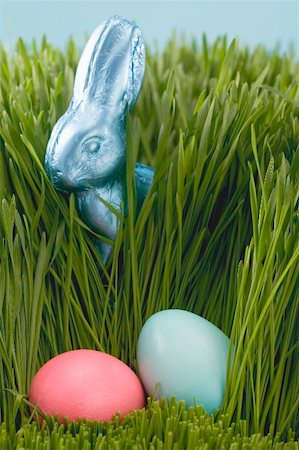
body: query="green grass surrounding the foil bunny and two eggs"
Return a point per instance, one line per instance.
(218, 235)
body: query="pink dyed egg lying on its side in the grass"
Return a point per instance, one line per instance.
(86, 384)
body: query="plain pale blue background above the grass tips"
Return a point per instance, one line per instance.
(269, 21)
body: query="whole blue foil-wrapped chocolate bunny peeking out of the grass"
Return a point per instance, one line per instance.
(86, 151)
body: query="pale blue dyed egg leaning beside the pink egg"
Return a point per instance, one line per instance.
(183, 355)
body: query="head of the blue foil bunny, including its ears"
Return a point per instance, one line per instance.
(88, 143)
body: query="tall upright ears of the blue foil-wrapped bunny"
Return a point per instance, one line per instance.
(111, 68)
